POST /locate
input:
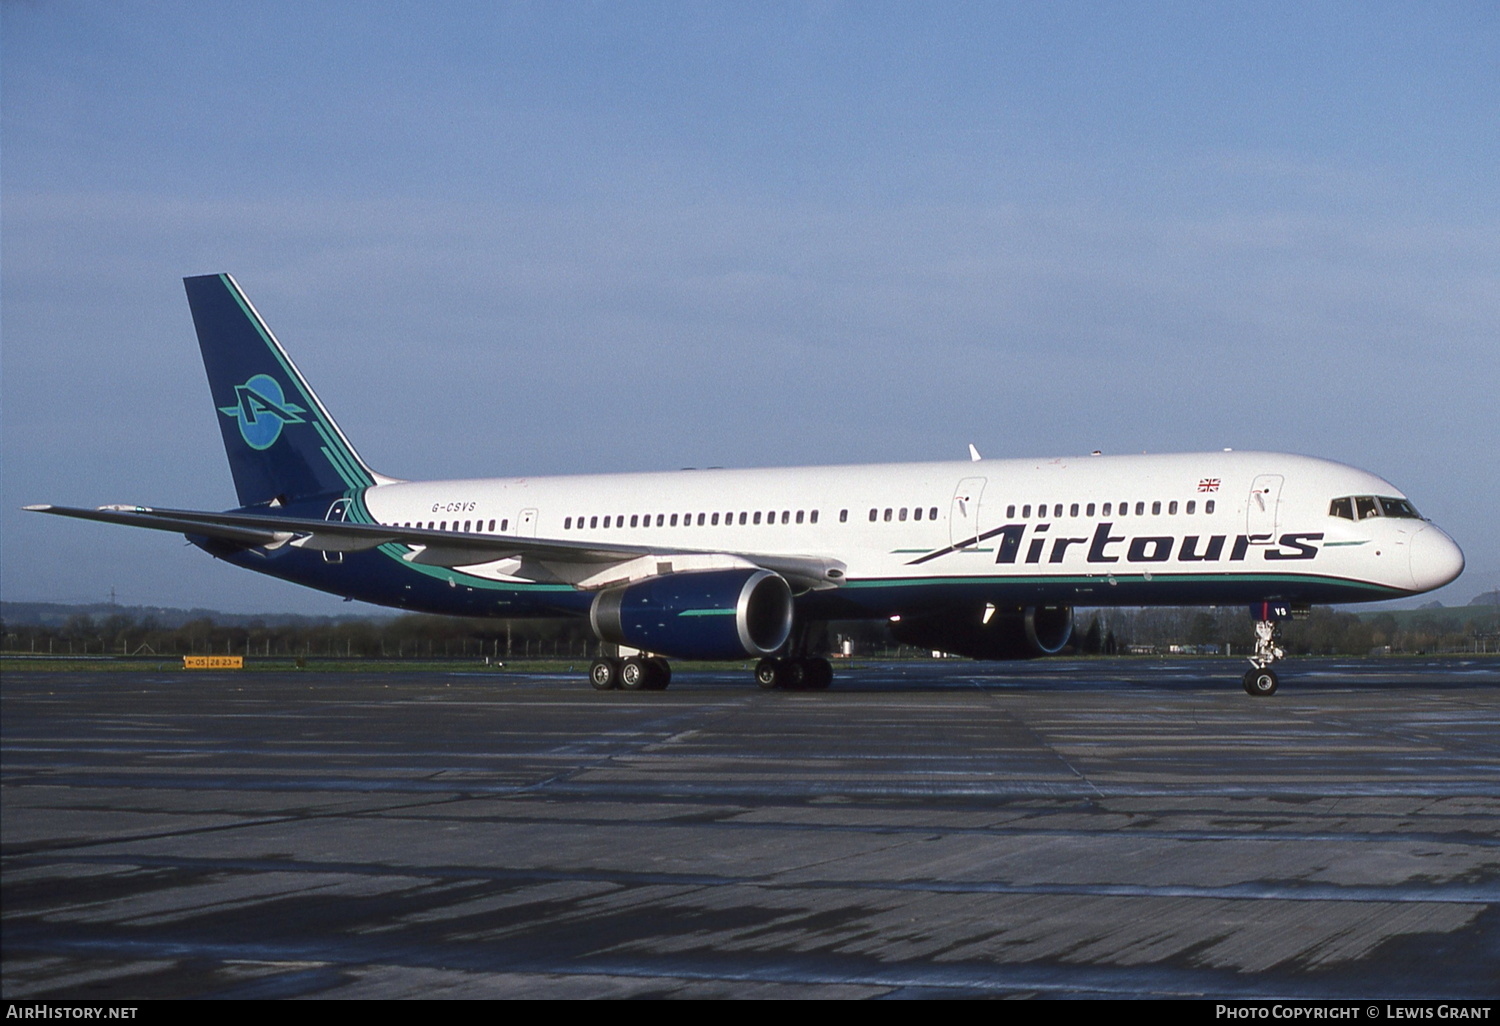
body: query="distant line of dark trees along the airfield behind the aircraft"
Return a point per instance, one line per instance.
(1099, 632)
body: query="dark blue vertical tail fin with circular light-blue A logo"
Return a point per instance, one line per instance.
(281, 442)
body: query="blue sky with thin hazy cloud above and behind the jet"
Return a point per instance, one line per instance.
(569, 238)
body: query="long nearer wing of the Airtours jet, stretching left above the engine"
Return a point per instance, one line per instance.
(587, 565)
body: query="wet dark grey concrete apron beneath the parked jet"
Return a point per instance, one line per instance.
(950, 829)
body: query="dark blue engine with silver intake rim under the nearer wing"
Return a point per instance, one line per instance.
(712, 614)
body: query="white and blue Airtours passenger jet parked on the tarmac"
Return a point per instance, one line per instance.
(980, 559)
